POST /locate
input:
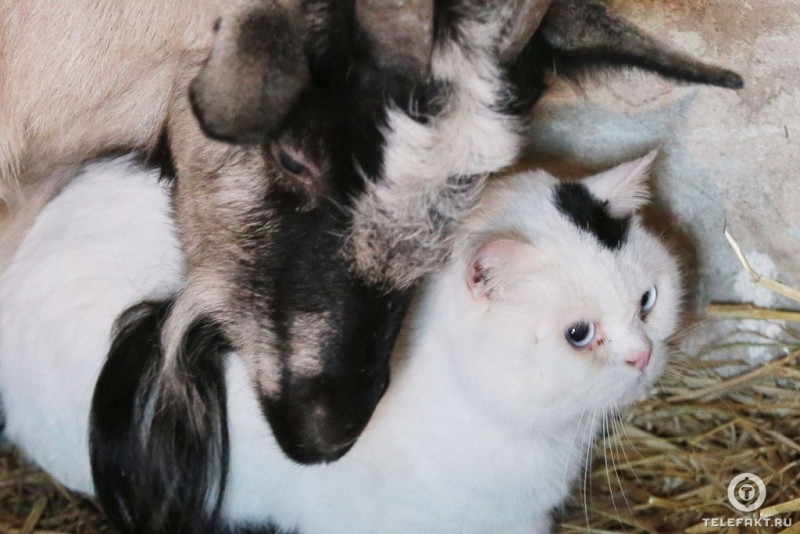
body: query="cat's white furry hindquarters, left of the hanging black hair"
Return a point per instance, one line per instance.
(104, 243)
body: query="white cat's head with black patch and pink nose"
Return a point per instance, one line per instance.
(562, 302)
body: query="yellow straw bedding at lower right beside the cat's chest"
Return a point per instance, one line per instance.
(668, 462)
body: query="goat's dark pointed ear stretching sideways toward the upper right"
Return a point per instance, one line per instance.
(586, 34)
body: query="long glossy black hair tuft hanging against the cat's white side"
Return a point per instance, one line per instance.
(158, 430)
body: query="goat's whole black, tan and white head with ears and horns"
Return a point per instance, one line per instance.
(358, 136)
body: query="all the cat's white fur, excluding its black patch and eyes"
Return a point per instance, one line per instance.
(490, 411)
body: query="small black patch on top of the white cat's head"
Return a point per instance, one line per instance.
(591, 214)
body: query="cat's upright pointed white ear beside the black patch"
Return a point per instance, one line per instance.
(625, 186)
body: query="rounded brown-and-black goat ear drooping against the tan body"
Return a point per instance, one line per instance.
(254, 74)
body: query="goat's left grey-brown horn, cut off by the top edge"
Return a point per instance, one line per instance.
(400, 32)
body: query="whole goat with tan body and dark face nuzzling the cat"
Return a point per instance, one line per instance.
(351, 156)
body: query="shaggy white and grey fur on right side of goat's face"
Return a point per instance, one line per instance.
(471, 137)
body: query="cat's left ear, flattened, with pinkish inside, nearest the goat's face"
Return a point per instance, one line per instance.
(494, 264)
